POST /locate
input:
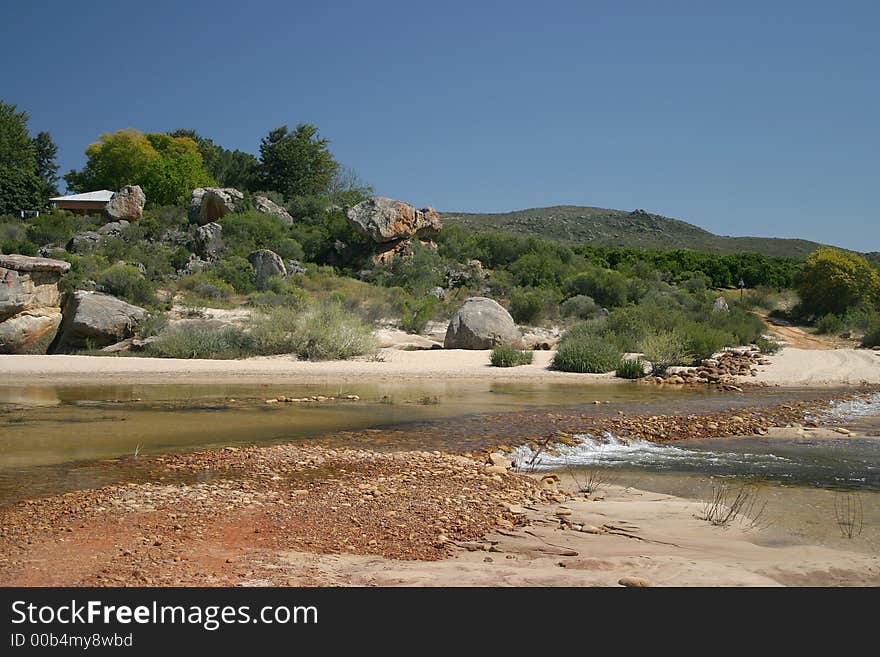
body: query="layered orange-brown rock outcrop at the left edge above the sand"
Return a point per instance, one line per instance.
(30, 301)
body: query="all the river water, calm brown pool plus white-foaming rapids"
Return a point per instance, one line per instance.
(59, 438)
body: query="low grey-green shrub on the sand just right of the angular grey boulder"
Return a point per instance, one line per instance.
(202, 342)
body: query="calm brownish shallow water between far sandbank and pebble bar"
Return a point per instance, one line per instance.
(55, 438)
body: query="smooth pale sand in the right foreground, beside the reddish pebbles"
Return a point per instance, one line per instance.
(660, 540)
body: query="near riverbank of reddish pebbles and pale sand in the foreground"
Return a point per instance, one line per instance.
(354, 517)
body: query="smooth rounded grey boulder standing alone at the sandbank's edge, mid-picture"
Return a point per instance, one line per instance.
(482, 323)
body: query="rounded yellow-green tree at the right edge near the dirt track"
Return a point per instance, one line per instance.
(834, 280)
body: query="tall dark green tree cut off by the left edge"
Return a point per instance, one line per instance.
(20, 187)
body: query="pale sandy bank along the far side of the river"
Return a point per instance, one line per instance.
(791, 367)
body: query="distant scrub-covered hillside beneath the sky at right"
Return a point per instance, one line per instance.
(637, 229)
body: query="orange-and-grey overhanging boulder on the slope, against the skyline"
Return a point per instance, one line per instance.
(387, 220)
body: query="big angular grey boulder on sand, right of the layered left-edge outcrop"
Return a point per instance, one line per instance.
(94, 320)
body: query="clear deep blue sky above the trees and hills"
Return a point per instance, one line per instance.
(745, 118)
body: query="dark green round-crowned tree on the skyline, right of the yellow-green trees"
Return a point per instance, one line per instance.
(297, 163)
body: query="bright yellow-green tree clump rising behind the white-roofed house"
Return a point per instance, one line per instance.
(167, 168)
